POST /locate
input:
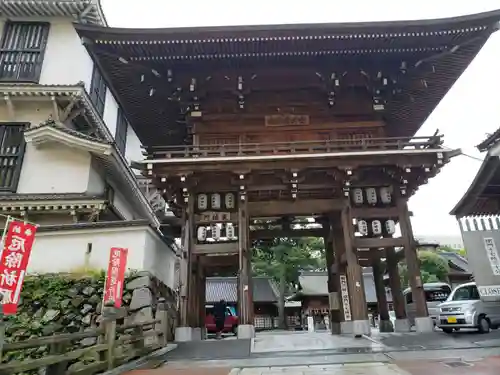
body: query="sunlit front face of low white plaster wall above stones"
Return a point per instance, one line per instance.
(65, 251)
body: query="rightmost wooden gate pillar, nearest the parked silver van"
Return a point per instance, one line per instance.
(412, 261)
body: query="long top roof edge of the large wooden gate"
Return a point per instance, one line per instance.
(253, 31)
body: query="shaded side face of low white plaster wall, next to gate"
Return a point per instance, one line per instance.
(159, 259)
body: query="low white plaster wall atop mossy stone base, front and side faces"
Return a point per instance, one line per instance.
(65, 251)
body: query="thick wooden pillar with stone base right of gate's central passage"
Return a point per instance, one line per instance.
(354, 276)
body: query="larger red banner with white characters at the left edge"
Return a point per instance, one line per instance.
(14, 260)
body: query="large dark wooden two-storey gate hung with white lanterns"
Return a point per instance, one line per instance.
(249, 131)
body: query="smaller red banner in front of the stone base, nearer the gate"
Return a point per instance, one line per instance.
(113, 289)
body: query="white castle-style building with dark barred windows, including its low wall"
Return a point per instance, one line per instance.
(66, 146)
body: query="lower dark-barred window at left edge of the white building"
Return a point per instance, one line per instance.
(11, 155)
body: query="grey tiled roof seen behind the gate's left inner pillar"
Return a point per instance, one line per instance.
(226, 288)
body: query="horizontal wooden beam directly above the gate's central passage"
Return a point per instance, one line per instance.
(306, 207)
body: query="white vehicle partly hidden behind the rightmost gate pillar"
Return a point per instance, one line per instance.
(435, 293)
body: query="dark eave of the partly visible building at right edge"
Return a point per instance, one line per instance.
(466, 205)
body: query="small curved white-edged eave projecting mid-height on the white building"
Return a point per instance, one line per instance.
(45, 135)
